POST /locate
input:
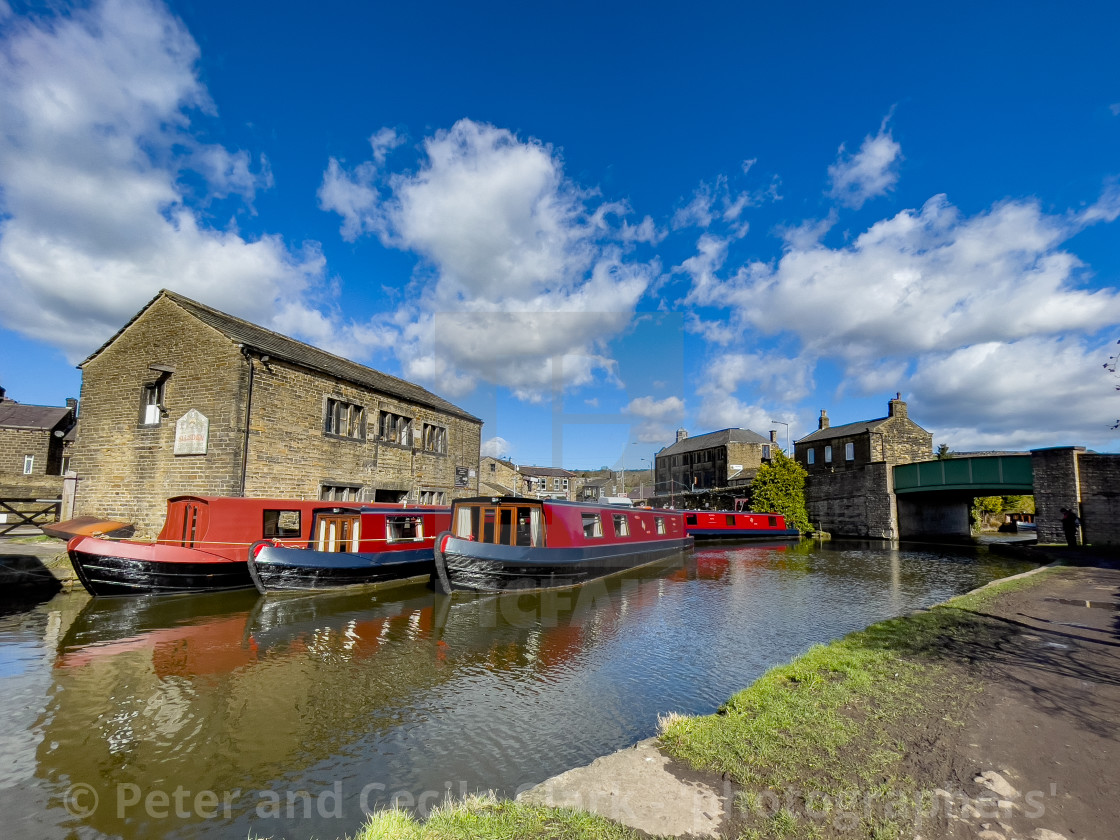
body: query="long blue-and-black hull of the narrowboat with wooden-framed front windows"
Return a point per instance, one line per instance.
(469, 566)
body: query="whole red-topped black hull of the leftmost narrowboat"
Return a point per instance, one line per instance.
(120, 568)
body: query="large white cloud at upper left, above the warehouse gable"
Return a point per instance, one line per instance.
(98, 136)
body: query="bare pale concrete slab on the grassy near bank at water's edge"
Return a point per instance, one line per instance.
(638, 788)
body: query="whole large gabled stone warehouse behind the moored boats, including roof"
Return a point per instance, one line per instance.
(186, 399)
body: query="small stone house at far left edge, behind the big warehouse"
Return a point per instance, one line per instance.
(33, 438)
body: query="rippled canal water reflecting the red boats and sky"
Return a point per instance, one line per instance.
(230, 715)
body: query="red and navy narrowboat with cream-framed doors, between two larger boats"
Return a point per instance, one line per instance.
(369, 545)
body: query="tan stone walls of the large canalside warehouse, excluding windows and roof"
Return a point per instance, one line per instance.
(128, 469)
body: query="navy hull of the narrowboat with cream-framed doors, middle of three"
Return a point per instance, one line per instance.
(278, 570)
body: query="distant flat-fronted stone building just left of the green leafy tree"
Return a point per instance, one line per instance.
(718, 460)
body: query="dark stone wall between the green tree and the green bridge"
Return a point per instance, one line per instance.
(854, 502)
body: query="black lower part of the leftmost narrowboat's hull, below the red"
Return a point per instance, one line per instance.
(106, 575)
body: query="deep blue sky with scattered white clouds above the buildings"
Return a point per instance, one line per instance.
(589, 225)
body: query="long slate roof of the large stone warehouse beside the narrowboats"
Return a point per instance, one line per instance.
(290, 350)
